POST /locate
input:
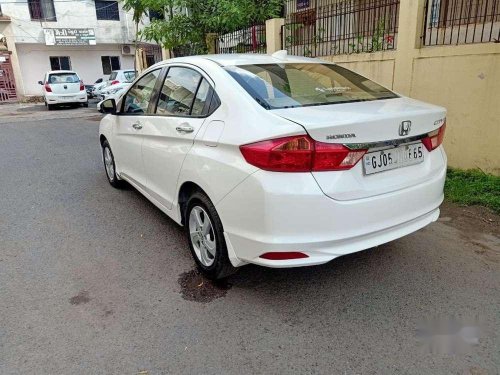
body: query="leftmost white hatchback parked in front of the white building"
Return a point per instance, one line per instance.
(63, 87)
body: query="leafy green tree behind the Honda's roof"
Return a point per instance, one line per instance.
(188, 22)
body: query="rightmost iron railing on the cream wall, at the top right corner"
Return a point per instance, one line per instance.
(449, 22)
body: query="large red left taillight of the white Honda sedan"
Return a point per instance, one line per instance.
(300, 154)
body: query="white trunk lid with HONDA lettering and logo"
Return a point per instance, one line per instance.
(375, 125)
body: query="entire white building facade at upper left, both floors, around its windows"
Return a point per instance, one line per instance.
(33, 55)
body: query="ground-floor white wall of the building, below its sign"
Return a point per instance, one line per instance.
(85, 60)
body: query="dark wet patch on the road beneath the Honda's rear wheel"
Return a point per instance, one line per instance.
(195, 287)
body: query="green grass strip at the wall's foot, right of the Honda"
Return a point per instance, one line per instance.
(473, 187)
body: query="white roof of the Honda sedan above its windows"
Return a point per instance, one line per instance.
(246, 59)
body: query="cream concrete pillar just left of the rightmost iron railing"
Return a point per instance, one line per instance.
(411, 17)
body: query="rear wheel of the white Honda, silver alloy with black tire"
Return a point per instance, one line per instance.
(206, 238)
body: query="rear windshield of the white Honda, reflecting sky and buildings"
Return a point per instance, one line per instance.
(291, 85)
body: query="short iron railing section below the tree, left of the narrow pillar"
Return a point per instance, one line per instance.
(248, 40)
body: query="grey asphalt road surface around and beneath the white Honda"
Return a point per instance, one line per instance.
(97, 281)
